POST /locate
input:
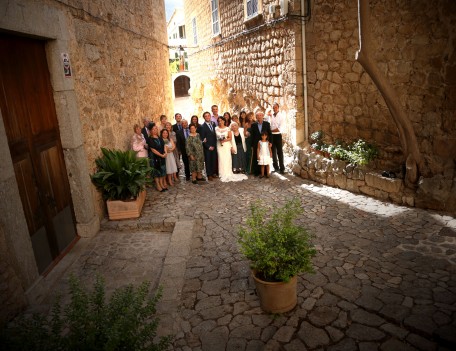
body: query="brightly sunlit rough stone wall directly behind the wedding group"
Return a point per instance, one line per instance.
(248, 65)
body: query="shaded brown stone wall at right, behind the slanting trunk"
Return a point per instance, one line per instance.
(415, 50)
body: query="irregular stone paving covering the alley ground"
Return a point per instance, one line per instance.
(385, 275)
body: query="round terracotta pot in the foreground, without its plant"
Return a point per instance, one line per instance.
(276, 297)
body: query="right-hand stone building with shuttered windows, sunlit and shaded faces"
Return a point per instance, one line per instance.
(302, 54)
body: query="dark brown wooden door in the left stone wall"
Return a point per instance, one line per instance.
(31, 126)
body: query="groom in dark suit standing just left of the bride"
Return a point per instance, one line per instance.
(207, 134)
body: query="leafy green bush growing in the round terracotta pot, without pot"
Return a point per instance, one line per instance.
(277, 247)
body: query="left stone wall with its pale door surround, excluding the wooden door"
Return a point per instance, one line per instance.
(120, 74)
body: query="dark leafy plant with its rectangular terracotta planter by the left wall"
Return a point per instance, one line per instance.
(121, 178)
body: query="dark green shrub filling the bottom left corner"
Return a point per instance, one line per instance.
(89, 322)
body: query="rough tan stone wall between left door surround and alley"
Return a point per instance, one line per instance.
(120, 63)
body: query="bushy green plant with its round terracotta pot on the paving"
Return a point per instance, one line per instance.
(278, 250)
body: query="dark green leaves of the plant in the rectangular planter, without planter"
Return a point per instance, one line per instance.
(120, 174)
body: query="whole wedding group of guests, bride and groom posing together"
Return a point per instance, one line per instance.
(221, 146)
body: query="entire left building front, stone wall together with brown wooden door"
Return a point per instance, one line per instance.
(78, 76)
